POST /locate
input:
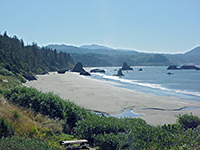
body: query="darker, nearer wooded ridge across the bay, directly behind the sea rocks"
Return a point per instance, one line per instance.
(101, 60)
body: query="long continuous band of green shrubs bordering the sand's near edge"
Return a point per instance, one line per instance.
(109, 132)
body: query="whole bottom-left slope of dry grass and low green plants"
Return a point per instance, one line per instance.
(31, 130)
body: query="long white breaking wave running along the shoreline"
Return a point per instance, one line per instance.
(149, 85)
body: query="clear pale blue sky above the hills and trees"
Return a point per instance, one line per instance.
(160, 26)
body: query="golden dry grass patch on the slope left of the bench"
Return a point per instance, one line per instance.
(29, 124)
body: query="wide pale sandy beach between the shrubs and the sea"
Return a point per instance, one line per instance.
(102, 96)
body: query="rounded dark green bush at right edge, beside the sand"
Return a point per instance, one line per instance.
(188, 121)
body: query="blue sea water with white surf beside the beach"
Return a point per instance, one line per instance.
(184, 84)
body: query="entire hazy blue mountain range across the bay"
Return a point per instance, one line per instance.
(99, 55)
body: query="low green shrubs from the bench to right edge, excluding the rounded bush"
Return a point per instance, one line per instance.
(113, 133)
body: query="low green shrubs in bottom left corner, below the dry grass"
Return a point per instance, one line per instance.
(19, 143)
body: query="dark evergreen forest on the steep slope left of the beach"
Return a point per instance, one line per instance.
(18, 58)
